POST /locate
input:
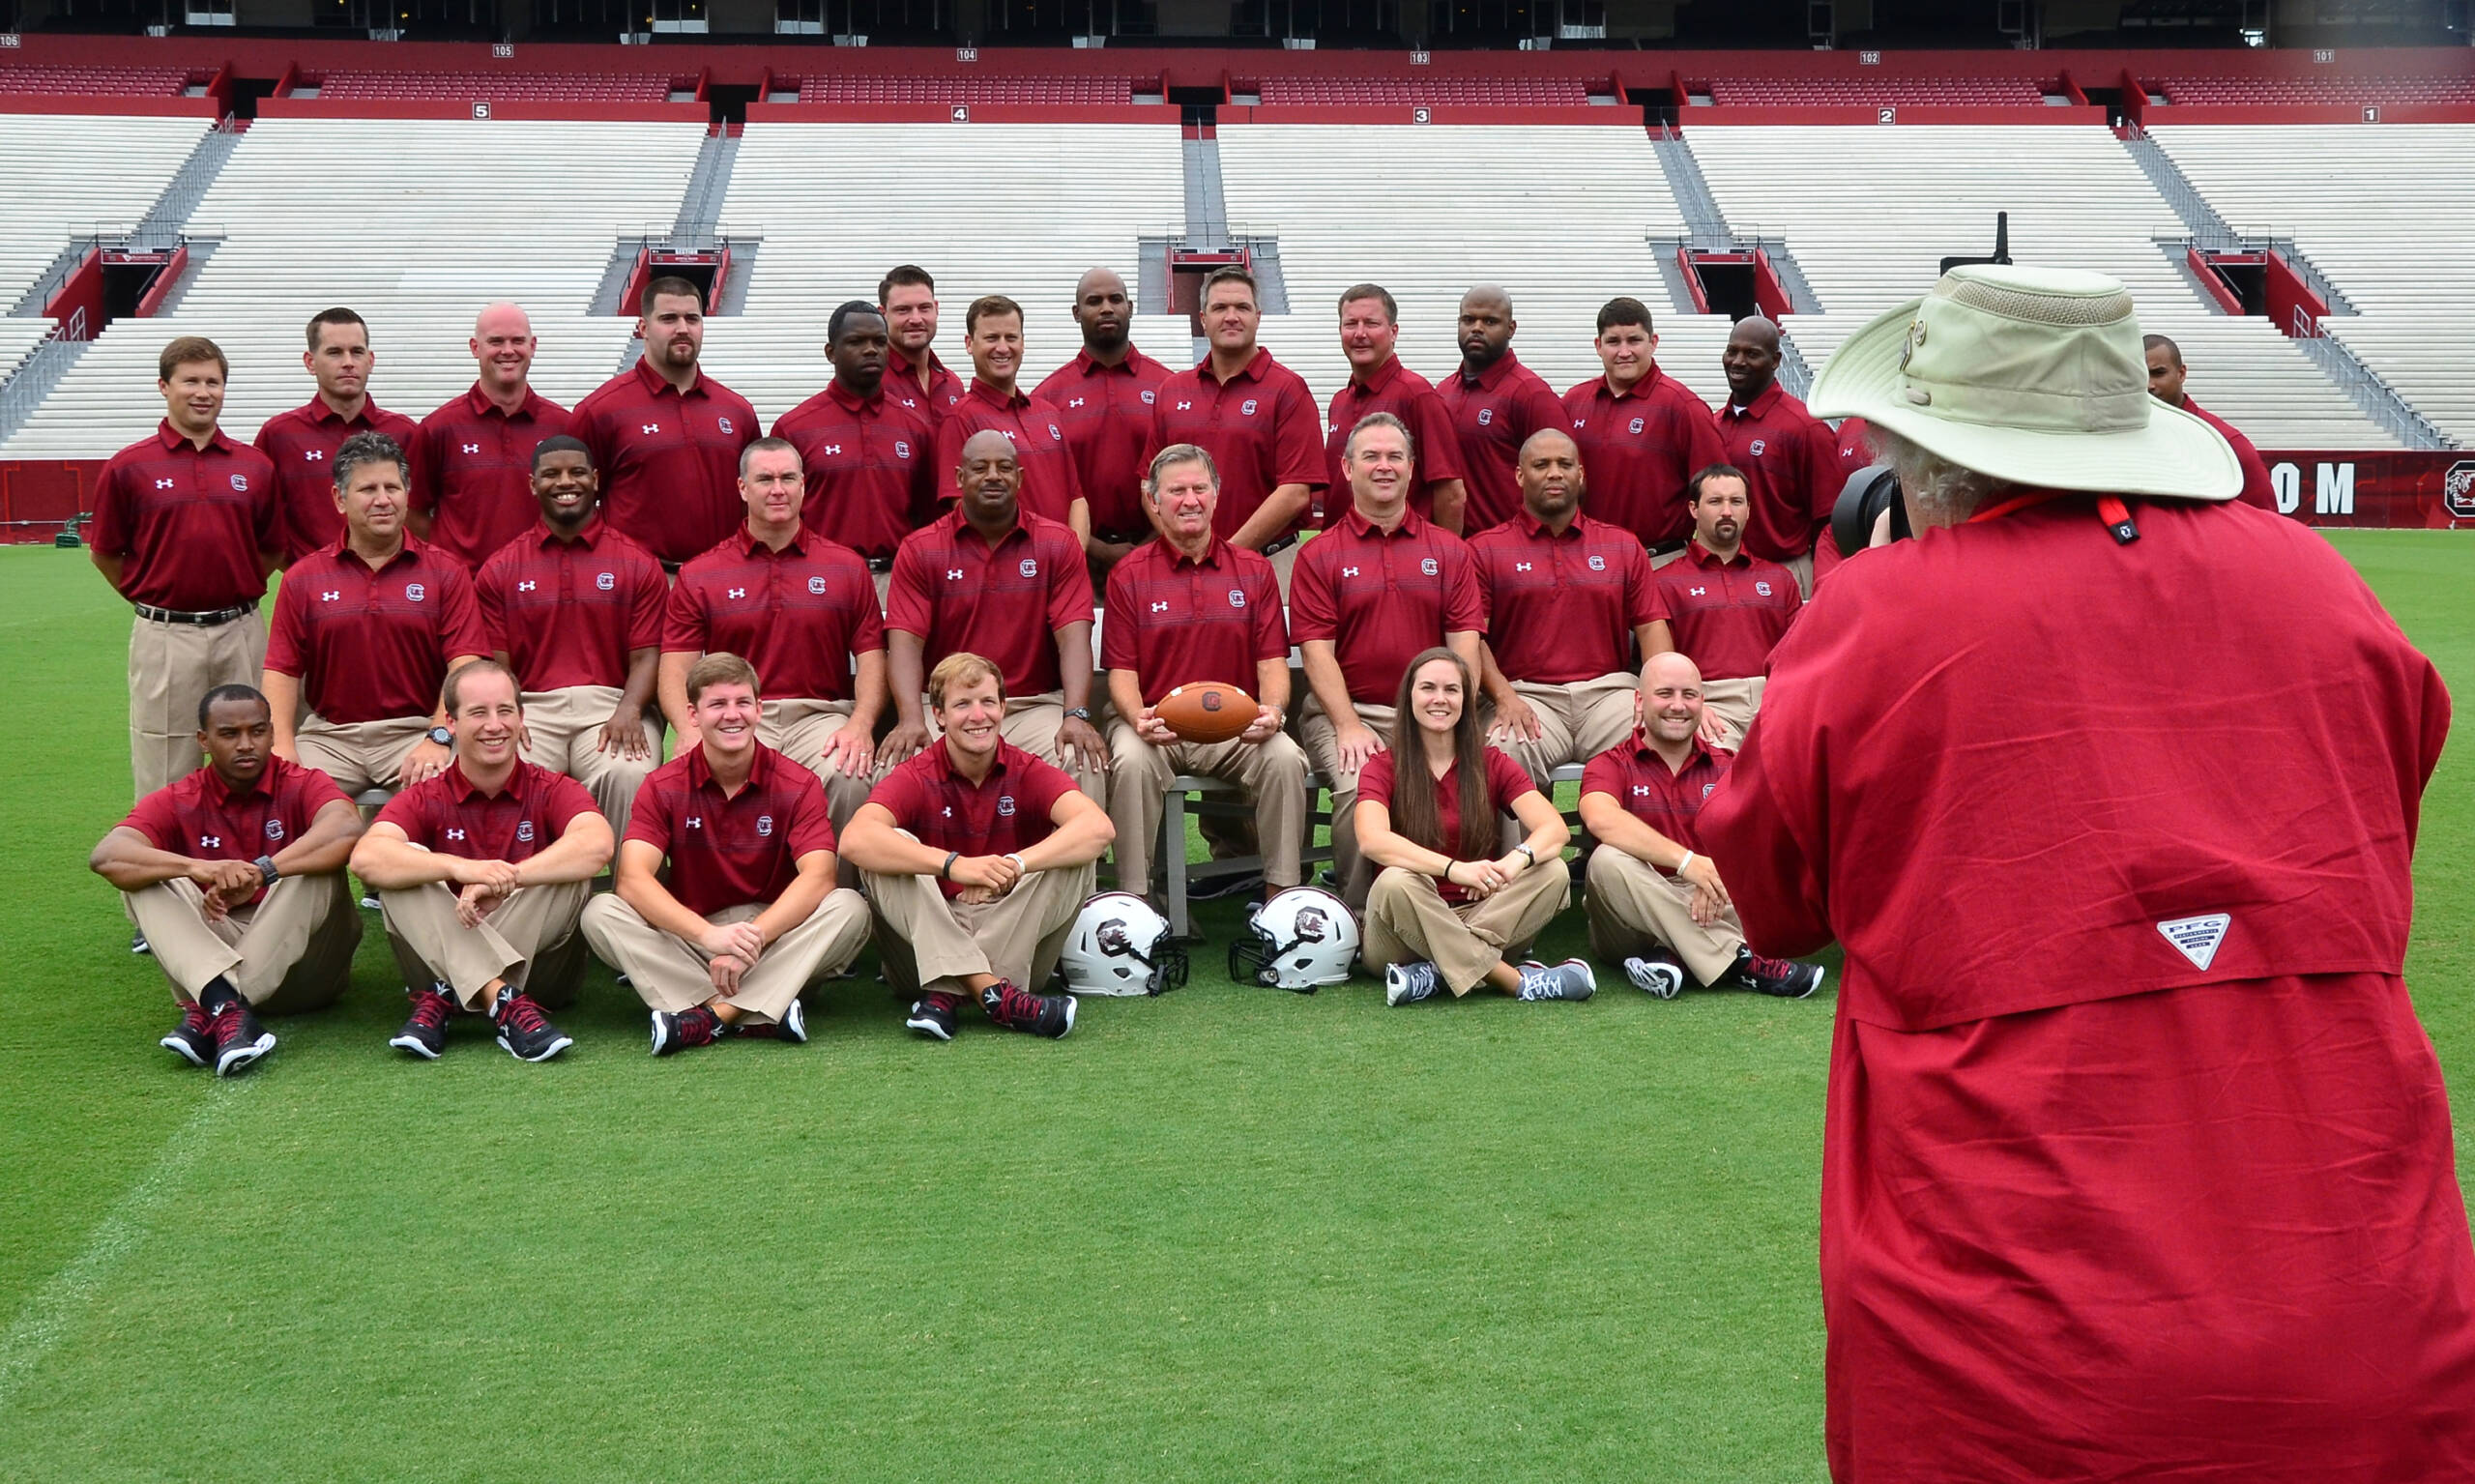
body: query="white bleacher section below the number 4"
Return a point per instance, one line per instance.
(989, 209)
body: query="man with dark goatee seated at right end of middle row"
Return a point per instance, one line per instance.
(1726, 607)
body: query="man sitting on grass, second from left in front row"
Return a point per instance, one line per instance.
(481, 874)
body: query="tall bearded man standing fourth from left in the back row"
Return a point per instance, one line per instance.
(665, 437)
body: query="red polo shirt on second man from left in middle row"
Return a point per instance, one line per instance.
(568, 612)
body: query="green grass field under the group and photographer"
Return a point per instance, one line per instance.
(1219, 1235)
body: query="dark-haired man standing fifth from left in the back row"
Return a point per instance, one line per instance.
(865, 444)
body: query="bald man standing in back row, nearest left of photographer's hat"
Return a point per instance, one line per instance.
(1791, 459)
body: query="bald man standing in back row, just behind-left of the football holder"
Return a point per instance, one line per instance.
(1105, 399)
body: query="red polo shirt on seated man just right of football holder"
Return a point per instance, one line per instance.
(1385, 597)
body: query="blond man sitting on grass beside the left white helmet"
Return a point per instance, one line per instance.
(976, 857)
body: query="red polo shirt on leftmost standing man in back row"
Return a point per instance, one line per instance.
(189, 523)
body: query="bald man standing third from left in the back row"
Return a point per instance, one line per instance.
(474, 456)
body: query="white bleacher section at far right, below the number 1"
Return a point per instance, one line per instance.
(2380, 211)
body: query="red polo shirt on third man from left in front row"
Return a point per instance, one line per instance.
(729, 852)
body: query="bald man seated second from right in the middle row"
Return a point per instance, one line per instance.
(1573, 607)
